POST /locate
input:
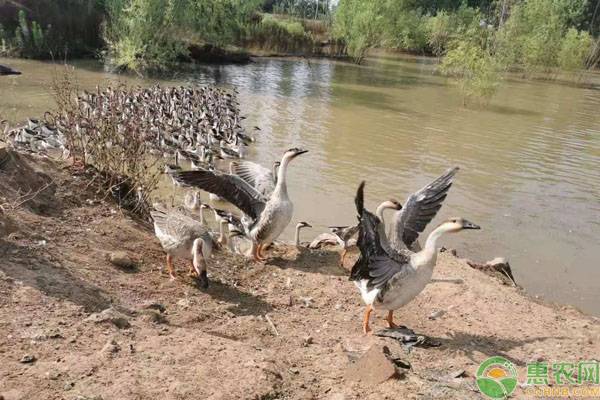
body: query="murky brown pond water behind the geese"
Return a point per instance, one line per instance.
(530, 161)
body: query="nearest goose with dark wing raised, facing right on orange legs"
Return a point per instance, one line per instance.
(388, 279)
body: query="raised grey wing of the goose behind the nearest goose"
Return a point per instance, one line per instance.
(420, 208)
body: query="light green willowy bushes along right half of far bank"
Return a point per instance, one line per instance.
(479, 42)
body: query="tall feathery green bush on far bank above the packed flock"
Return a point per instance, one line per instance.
(153, 34)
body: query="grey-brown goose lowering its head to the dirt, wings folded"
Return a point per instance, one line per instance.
(184, 237)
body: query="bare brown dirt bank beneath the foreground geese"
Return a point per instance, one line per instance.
(74, 326)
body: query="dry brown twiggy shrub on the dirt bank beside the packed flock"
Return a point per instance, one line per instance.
(115, 147)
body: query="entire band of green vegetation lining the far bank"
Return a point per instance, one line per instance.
(476, 40)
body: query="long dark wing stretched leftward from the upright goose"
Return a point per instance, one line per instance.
(229, 187)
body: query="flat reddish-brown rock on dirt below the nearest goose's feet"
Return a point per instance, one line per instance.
(372, 368)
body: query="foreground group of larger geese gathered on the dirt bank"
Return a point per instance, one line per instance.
(392, 269)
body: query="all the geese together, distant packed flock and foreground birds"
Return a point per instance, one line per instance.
(203, 125)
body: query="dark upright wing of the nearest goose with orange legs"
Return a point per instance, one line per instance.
(375, 262)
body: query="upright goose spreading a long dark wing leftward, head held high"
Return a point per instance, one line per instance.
(265, 216)
